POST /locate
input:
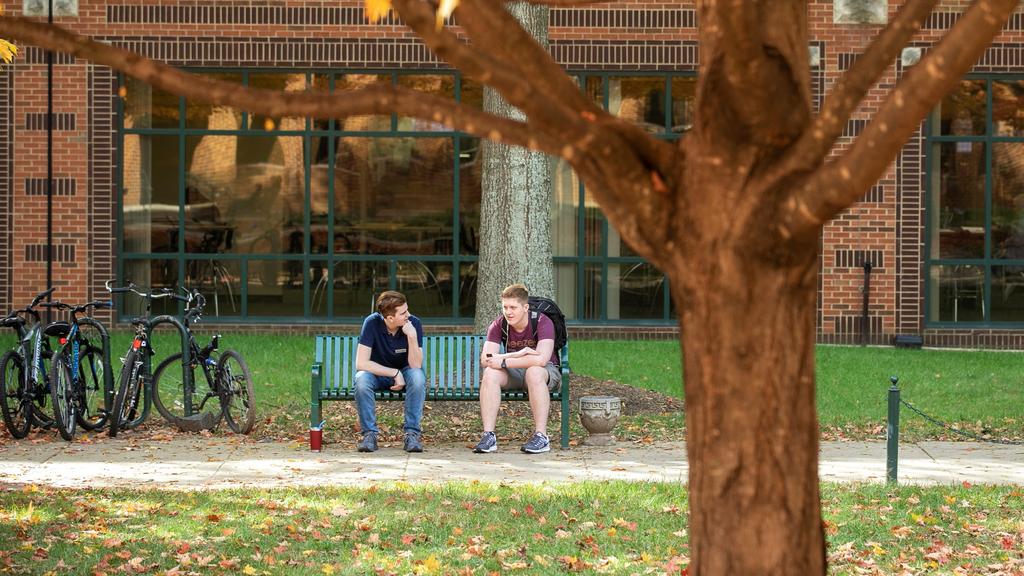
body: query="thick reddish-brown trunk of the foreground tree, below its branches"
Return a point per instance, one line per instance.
(752, 427)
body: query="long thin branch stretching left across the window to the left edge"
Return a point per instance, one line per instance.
(380, 99)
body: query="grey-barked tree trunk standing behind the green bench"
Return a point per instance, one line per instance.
(516, 210)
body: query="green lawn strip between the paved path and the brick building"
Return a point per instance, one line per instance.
(980, 391)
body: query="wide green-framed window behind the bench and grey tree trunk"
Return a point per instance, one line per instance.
(289, 219)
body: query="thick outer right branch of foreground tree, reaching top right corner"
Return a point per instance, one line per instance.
(839, 185)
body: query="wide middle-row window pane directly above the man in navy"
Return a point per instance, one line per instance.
(394, 196)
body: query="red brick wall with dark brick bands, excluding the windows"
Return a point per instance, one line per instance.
(886, 228)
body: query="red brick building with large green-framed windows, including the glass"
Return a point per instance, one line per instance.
(285, 223)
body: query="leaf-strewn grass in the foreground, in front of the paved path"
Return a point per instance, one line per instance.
(610, 528)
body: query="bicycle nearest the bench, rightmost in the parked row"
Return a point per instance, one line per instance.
(228, 379)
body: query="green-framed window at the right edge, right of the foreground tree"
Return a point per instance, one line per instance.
(976, 204)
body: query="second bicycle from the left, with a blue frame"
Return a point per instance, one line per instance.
(81, 385)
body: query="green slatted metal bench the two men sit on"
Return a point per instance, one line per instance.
(452, 365)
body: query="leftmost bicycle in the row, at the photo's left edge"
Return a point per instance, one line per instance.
(25, 392)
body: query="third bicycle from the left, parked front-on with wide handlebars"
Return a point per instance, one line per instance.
(136, 382)
